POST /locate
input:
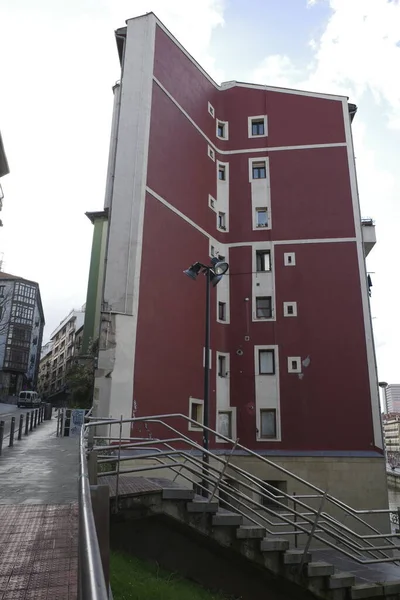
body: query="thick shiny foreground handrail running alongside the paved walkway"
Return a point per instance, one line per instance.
(91, 582)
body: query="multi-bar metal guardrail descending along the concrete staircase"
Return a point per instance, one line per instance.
(304, 517)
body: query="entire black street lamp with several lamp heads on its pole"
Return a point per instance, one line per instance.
(213, 274)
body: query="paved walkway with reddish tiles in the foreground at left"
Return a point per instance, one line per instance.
(39, 517)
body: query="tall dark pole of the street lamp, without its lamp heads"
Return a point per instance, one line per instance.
(206, 407)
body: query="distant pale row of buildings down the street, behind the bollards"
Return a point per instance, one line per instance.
(58, 356)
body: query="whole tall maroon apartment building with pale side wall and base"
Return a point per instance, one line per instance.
(264, 177)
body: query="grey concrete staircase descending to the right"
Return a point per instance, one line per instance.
(319, 578)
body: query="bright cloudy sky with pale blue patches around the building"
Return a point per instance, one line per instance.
(58, 62)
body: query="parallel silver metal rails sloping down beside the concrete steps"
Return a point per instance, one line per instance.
(327, 525)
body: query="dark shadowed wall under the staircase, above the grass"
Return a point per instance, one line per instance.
(161, 540)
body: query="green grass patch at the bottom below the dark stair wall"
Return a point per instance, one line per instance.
(134, 579)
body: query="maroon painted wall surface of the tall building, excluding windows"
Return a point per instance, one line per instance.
(329, 408)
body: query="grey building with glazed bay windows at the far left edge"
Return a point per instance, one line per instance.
(21, 330)
